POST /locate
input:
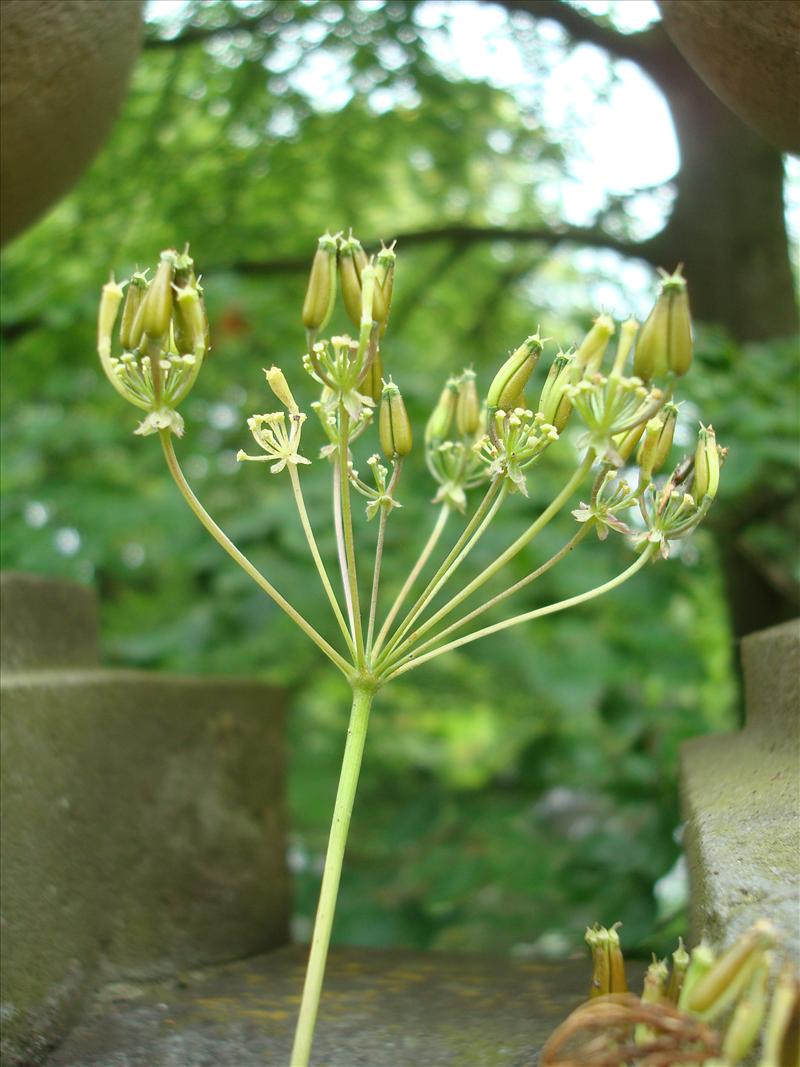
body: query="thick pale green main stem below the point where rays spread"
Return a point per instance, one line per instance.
(331, 875)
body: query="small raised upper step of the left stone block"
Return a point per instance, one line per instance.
(46, 624)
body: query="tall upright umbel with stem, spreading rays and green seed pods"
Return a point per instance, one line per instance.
(487, 444)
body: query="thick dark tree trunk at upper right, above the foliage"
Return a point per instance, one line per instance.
(728, 222)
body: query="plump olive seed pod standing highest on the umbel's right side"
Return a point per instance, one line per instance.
(665, 341)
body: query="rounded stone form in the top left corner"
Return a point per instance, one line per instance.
(66, 70)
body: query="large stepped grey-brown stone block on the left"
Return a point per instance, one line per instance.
(143, 826)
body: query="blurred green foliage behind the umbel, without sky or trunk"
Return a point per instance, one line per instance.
(511, 793)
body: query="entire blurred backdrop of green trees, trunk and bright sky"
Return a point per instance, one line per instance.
(517, 792)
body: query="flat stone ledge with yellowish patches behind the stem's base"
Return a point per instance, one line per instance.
(379, 1010)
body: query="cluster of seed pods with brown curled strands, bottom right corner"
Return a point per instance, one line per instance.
(707, 1010)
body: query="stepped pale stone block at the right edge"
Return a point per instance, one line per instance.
(742, 801)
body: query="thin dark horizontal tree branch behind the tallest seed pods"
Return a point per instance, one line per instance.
(462, 236)
